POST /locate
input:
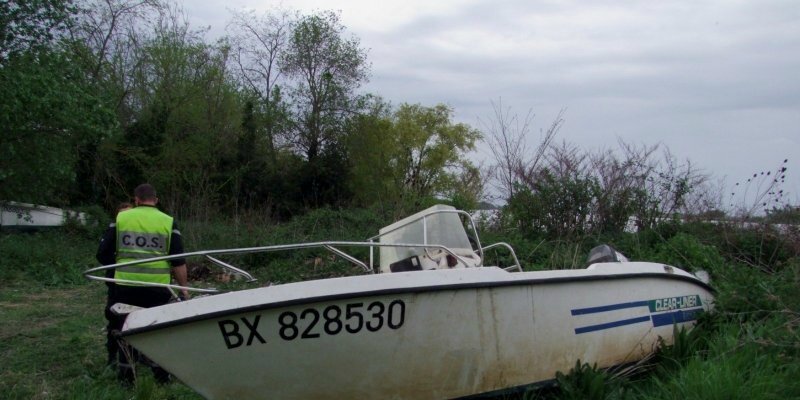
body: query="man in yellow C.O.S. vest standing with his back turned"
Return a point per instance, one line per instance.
(142, 232)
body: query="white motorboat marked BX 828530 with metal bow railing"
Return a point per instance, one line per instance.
(431, 323)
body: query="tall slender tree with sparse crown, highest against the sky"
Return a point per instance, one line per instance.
(324, 70)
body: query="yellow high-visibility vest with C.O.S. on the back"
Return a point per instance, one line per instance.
(143, 232)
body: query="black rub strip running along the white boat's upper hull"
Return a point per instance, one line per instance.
(410, 290)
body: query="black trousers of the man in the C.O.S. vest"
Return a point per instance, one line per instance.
(125, 355)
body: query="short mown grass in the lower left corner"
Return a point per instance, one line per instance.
(51, 345)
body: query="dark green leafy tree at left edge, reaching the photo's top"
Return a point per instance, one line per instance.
(49, 111)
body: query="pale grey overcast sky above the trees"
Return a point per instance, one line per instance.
(718, 82)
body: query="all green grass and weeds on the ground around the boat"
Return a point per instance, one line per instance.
(52, 338)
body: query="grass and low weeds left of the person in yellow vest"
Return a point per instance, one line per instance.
(52, 327)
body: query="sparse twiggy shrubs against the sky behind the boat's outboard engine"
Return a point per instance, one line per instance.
(565, 193)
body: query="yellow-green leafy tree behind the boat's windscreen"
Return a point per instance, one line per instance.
(401, 158)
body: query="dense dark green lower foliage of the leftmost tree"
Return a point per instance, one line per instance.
(43, 139)
